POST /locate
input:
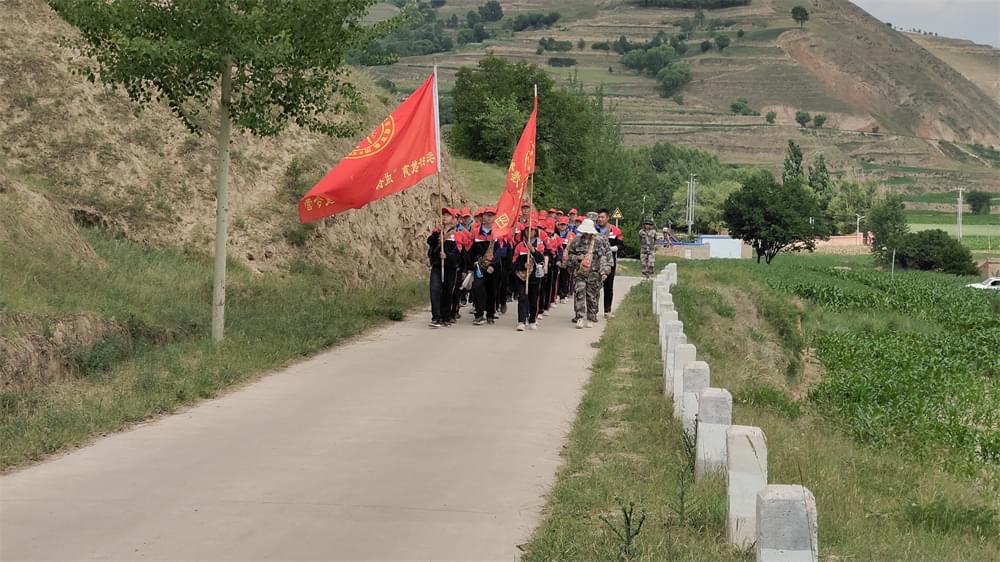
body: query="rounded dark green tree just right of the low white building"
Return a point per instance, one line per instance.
(773, 217)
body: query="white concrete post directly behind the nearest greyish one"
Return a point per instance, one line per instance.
(746, 459)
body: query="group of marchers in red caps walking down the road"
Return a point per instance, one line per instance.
(546, 258)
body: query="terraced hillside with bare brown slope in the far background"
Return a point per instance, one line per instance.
(895, 110)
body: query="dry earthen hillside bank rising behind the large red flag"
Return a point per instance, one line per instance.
(91, 154)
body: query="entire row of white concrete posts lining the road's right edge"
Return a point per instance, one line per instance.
(779, 521)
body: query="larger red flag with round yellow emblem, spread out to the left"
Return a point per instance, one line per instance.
(401, 151)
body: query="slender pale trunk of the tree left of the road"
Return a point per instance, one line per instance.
(222, 204)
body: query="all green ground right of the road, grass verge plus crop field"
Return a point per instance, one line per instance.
(876, 392)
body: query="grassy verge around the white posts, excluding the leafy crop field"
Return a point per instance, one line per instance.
(874, 504)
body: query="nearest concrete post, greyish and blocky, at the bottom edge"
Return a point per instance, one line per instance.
(786, 525)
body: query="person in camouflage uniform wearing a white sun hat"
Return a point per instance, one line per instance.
(590, 256)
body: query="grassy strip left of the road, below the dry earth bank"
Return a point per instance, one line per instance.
(163, 360)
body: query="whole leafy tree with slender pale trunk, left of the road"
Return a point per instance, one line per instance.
(269, 62)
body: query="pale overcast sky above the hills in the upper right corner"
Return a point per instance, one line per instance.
(978, 20)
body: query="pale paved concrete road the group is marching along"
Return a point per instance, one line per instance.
(377, 450)
